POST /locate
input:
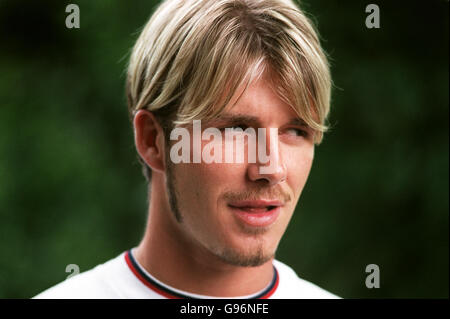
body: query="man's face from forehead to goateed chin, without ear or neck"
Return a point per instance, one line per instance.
(231, 209)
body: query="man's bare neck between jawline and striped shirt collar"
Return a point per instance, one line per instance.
(168, 254)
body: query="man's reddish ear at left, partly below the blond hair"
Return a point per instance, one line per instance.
(149, 139)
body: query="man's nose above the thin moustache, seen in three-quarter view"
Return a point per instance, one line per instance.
(270, 165)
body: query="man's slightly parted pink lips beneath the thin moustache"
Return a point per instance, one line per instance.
(254, 212)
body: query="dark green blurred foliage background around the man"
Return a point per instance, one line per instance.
(71, 189)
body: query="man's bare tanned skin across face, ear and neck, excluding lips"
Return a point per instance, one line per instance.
(210, 251)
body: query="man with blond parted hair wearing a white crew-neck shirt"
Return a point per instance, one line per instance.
(214, 225)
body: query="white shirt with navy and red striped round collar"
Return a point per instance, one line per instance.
(124, 277)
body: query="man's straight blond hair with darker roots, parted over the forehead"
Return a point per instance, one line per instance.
(190, 50)
